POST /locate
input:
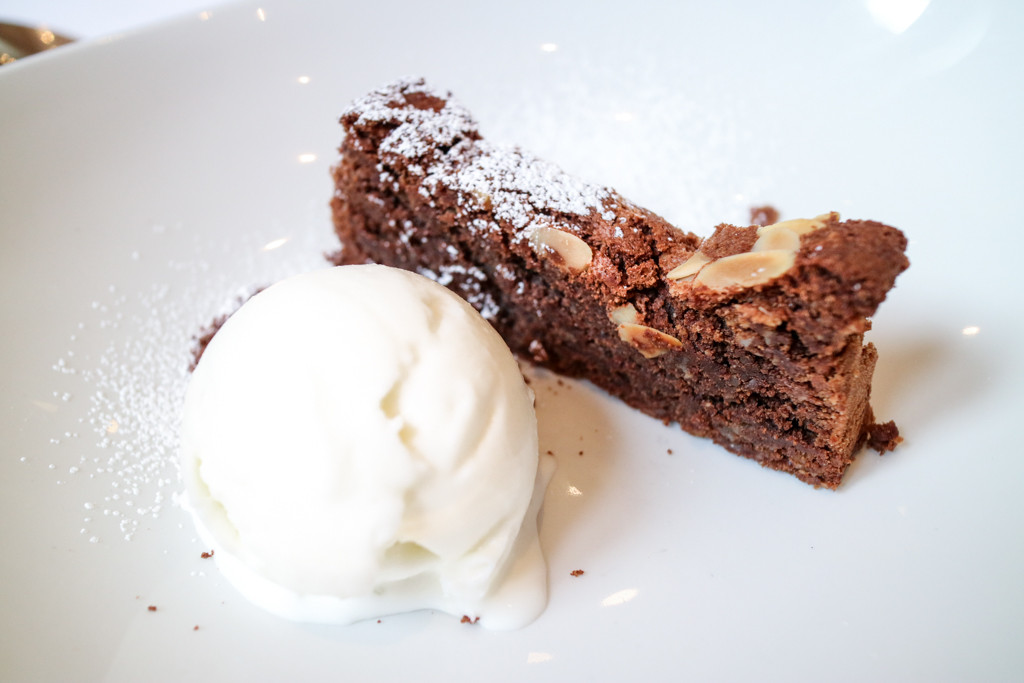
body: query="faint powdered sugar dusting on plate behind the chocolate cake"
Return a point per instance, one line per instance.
(670, 139)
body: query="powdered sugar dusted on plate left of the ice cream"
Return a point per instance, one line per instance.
(124, 376)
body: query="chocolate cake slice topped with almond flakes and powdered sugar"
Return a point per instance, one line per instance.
(753, 337)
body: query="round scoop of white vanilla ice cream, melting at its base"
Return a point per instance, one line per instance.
(359, 442)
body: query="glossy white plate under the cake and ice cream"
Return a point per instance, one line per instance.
(143, 178)
